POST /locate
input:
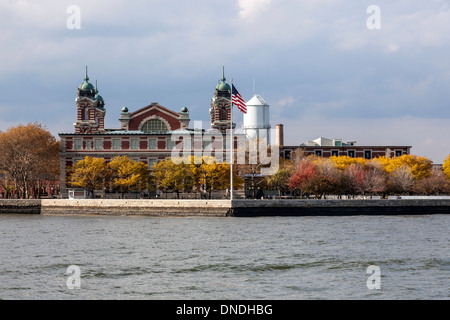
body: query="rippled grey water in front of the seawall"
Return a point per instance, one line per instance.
(224, 258)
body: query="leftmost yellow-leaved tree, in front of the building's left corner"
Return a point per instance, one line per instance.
(89, 174)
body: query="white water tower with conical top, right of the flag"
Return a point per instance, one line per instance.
(257, 119)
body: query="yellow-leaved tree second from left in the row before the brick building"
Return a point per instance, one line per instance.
(128, 175)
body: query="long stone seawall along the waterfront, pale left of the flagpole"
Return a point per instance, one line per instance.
(224, 208)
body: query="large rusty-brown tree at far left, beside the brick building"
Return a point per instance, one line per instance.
(29, 154)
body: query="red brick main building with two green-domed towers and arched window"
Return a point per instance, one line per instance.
(148, 135)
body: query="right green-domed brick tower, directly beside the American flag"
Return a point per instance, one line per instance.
(220, 111)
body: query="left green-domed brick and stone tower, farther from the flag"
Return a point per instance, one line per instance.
(90, 109)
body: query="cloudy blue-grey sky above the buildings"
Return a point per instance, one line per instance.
(321, 65)
